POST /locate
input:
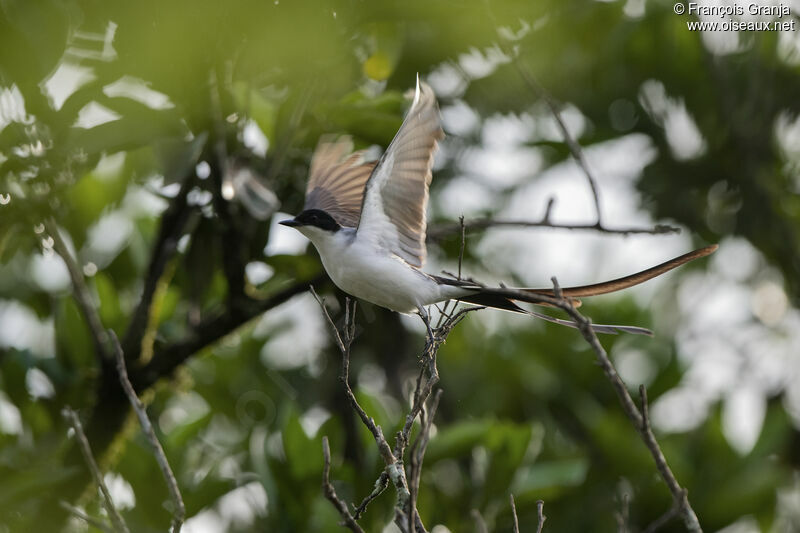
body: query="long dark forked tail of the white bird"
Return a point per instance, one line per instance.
(501, 298)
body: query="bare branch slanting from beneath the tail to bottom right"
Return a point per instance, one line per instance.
(640, 420)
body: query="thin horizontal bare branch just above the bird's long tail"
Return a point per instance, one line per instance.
(440, 231)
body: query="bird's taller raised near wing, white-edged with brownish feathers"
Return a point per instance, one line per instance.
(396, 195)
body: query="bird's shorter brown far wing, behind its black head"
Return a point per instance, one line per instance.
(337, 179)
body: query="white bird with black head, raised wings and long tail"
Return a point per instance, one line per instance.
(367, 221)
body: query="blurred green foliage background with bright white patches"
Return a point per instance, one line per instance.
(140, 126)
